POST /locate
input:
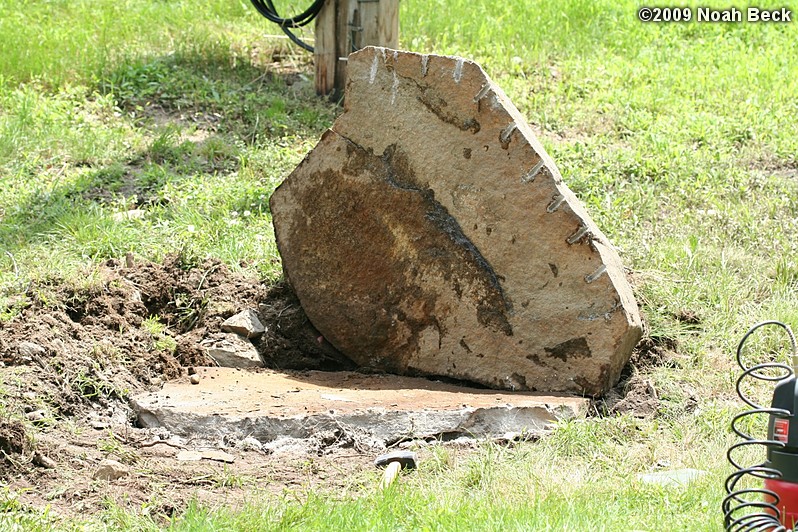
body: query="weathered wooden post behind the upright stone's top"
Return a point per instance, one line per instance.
(346, 25)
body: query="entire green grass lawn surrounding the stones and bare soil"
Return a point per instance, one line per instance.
(681, 139)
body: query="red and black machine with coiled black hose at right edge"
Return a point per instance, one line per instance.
(774, 506)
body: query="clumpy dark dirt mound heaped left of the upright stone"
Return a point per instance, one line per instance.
(142, 323)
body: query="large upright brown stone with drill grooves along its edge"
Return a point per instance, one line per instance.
(428, 233)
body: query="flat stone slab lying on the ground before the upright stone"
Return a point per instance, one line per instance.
(268, 405)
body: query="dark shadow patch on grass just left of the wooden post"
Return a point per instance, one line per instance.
(219, 92)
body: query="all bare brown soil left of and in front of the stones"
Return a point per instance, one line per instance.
(71, 356)
